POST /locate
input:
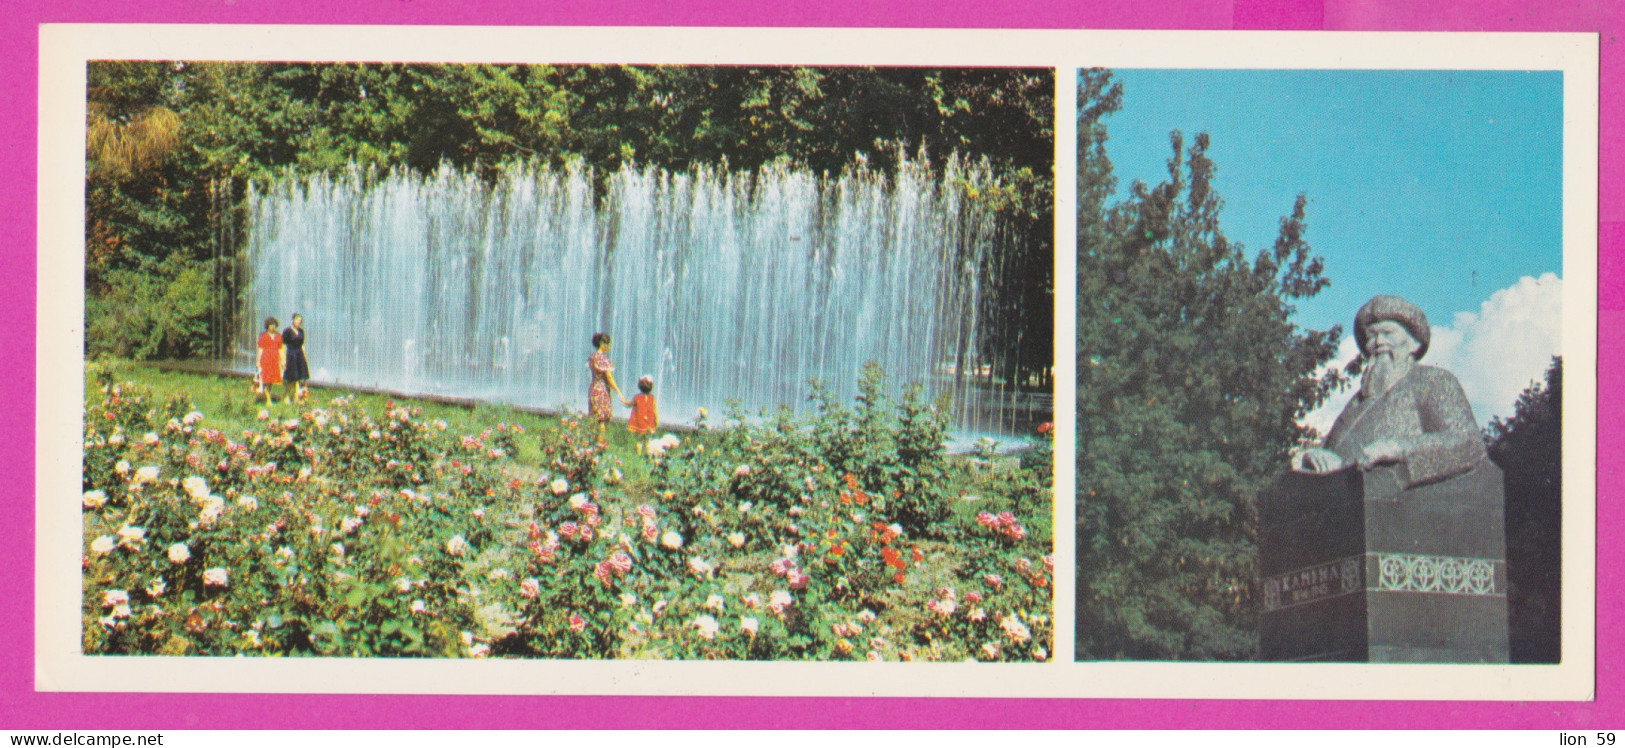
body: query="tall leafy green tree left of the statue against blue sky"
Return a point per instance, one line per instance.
(1190, 385)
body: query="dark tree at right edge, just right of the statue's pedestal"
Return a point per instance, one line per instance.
(1530, 450)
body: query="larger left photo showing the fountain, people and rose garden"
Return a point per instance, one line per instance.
(568, 362)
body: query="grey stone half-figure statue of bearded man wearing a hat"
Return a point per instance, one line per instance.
(1406, 415)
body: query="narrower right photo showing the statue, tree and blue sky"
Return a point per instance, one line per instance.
(1320, 365)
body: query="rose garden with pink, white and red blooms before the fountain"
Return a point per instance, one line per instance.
(360, 528)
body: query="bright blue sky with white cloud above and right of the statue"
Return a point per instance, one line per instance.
(1439, 186)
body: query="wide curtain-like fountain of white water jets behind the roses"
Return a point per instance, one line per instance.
(721, 285)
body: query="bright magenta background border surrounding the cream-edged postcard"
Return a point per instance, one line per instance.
(24, 708)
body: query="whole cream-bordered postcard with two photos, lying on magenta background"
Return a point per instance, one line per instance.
(817, 363)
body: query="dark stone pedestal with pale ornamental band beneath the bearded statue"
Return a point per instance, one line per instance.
(1358, 570)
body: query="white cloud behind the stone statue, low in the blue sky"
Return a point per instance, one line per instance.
(1496, 354)
